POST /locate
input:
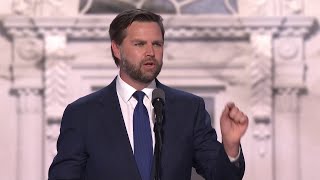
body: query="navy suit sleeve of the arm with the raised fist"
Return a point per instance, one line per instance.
(210, 159)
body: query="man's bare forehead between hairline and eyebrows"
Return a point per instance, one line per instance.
(144, 30)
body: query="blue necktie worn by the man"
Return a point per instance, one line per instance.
(143, 152)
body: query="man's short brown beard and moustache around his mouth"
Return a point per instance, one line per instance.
(136, 72)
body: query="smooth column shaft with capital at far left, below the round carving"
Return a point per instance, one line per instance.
(30, 133)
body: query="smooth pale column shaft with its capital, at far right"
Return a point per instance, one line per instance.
(286, 131)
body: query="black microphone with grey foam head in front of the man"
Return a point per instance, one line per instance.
(158, 101)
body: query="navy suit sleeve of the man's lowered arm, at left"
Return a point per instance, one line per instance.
(69, 163)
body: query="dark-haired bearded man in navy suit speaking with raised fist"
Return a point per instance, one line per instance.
(99, 136)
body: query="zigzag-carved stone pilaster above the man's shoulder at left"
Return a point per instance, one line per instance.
(56, 74)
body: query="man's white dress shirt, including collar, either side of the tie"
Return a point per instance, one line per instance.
(128, 103)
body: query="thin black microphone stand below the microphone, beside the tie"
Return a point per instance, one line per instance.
(158, 145)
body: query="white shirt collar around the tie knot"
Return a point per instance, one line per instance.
(126, 91)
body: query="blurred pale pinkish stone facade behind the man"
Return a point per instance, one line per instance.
(262, 54)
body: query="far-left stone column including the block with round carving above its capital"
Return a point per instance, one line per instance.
(27, 86)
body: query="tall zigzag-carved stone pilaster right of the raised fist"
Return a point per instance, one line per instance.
(261, 100)
